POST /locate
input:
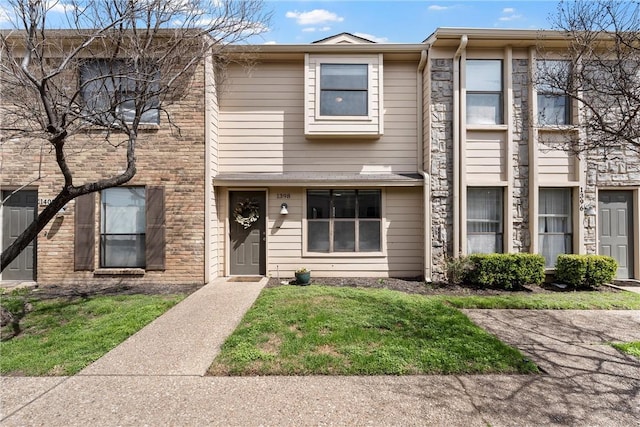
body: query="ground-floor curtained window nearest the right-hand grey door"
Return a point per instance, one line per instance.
(554, 223)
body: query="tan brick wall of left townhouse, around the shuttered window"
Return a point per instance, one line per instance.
(165, 157)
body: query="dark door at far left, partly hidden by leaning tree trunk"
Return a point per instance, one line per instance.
(17, 213)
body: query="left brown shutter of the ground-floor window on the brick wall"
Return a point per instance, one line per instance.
(84, 236)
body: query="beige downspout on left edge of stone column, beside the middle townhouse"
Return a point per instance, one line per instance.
(427, 263)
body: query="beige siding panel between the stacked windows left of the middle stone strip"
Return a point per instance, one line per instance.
(485, 156)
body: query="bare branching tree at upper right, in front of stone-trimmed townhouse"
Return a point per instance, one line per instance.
(599, 74)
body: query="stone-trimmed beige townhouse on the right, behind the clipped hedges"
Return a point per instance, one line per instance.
(499, 180)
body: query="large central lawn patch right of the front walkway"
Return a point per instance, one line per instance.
(318, 330)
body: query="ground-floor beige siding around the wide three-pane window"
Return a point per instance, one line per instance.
(404, 245)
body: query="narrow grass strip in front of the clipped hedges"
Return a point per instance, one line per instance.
(557, 301)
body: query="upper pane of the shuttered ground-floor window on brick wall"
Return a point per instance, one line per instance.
(123, 210)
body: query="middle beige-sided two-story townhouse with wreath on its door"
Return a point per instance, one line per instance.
(319, 159)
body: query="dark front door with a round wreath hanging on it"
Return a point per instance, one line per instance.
(247, 232)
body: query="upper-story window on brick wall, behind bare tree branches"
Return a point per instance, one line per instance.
(112, 92)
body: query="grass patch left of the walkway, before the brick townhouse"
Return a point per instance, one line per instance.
(62, 336)
